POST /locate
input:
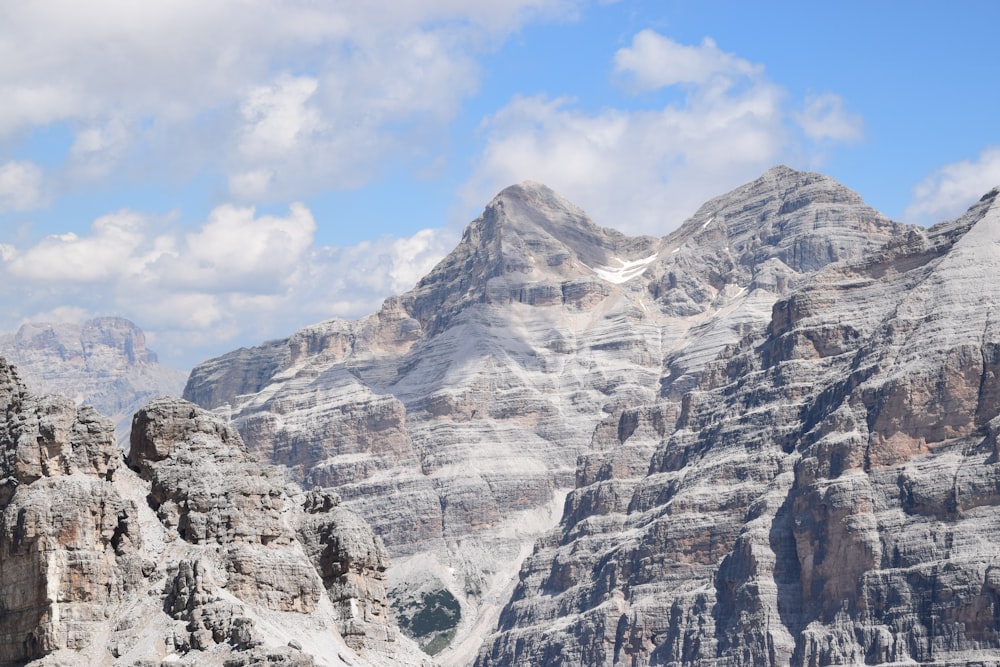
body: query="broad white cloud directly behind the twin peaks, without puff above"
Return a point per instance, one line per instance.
(641, 172)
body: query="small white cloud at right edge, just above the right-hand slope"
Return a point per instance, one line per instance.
(950, 190)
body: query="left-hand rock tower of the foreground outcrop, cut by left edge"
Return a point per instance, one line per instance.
(69, 541)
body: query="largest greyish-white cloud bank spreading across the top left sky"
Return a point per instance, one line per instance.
(283, 98)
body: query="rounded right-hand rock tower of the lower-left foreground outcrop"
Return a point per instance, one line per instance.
(274, 552)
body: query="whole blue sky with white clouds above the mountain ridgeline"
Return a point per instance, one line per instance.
(222, 173)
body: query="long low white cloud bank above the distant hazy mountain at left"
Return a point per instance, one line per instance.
(237, 278)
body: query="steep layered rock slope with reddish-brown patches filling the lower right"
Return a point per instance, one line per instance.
(825, 494)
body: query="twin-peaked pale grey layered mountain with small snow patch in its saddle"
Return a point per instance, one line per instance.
(452, 419)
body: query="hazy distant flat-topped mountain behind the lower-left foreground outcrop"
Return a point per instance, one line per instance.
(103, 362)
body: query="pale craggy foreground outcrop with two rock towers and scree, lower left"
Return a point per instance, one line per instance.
(188, 551)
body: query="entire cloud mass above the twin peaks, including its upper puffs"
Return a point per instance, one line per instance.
(646, 170)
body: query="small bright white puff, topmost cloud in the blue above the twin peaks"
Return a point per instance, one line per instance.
(654, 61)
